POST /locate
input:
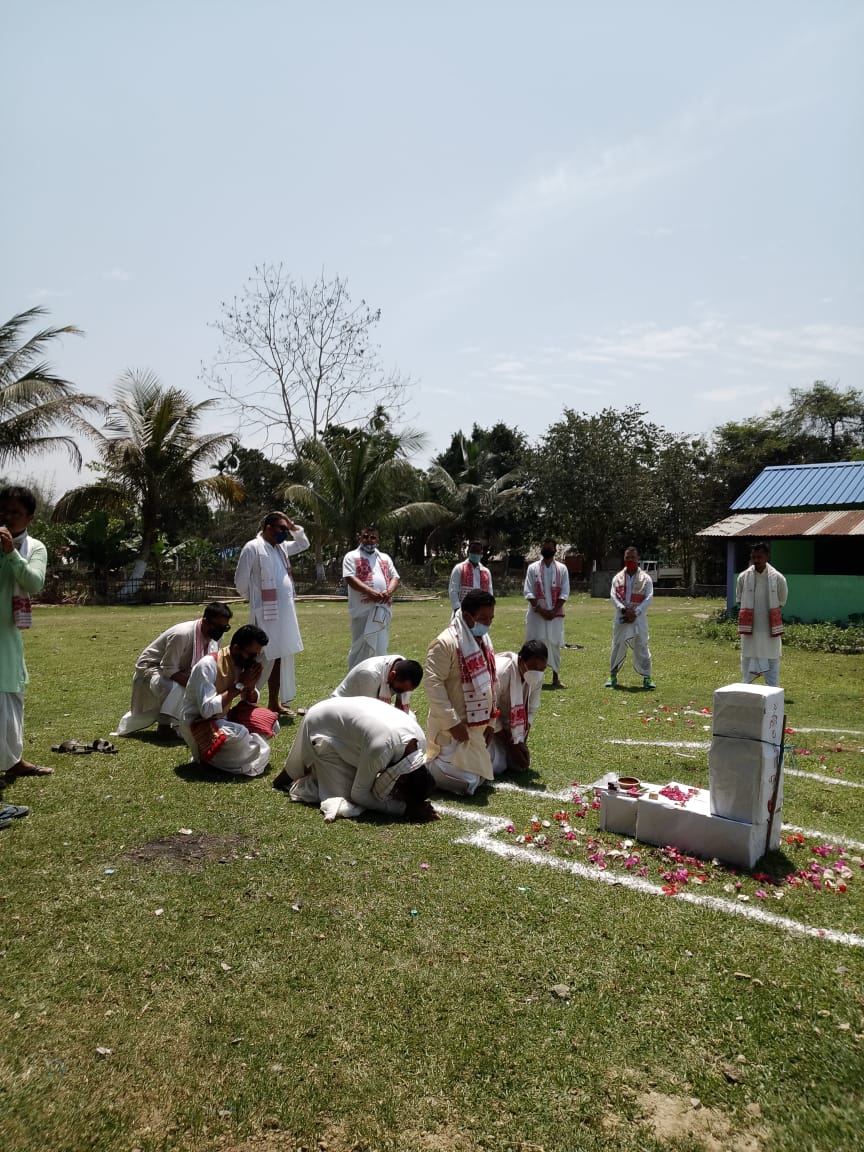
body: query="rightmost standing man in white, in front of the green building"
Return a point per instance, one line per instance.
(762, 593)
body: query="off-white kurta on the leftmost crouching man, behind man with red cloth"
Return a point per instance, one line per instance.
(156, 696)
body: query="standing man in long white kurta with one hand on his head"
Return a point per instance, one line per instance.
(264, 578)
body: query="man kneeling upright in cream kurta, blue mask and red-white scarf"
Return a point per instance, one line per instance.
(461, 685)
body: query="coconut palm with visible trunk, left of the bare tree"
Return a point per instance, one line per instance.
(151, 459)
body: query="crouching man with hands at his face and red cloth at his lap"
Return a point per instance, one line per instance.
(228, 736)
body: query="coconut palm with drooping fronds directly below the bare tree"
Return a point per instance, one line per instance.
(358, 478)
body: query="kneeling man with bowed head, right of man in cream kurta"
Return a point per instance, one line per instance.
(520, 680)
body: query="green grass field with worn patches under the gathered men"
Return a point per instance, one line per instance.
(262, 982)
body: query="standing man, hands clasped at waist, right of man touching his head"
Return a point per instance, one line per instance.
(373, 579)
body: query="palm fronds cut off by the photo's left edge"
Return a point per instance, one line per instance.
(34, 401)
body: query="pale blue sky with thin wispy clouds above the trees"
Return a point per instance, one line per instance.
(572, 203)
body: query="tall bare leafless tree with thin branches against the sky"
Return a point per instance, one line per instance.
(297, 358)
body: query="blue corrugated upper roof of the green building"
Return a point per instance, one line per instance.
(806, 487)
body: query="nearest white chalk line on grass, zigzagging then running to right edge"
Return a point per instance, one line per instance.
(490, 825)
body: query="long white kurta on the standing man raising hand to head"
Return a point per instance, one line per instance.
(284, 640)
